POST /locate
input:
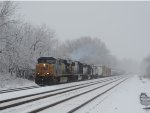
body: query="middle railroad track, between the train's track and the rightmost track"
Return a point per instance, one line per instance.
(33, 97)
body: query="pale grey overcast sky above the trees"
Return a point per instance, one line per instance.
(123, 26)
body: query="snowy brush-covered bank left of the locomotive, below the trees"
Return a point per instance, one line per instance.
(7, 81)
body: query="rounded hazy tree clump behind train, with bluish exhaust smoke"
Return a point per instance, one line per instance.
(88, 50)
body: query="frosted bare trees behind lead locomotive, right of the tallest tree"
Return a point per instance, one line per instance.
(33, 42)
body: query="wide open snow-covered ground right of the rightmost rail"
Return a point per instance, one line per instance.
(123, 99)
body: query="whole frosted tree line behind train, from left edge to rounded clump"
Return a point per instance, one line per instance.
(21, 43)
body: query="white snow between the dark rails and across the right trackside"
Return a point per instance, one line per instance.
(122, 99)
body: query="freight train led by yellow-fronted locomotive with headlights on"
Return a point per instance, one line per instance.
(50, 70)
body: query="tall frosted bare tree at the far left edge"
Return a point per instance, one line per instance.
(7, 32)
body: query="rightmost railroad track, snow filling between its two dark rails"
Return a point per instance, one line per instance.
(75, 102)
